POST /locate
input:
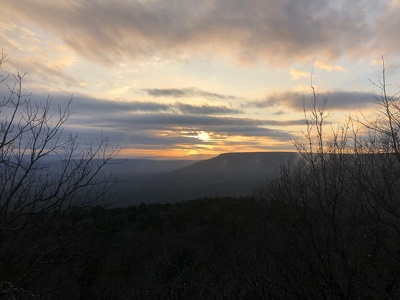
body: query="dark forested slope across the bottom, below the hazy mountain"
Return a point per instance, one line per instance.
(222, 248)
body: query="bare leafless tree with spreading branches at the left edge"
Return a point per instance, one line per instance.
(35, 192)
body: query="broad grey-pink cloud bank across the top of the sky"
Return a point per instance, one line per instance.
(278, 32)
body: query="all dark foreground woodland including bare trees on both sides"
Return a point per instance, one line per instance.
(324, 227)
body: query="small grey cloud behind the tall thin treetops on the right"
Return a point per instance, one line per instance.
(337, 100)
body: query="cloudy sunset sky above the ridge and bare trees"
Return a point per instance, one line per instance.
(193, 79)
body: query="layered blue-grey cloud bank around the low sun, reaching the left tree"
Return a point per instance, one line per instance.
(150, 125)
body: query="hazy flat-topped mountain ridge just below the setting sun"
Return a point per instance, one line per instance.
(229, 174)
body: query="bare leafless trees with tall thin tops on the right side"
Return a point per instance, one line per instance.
(340, 205)
